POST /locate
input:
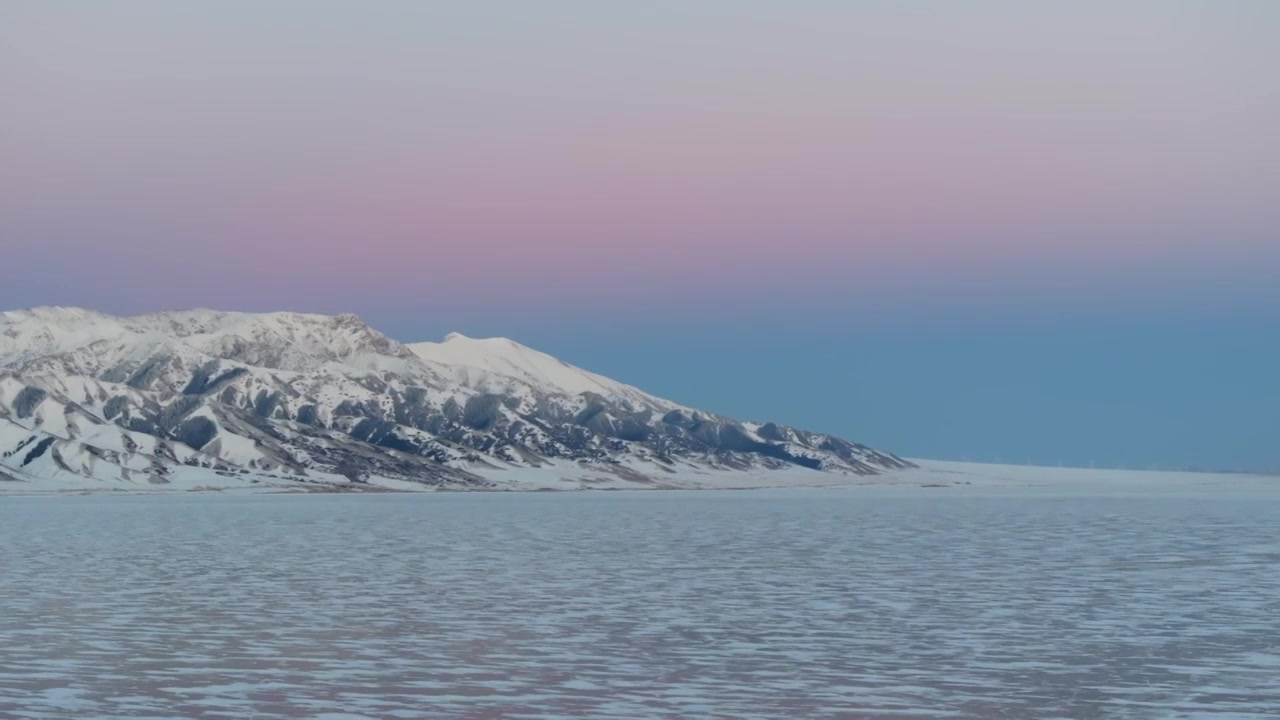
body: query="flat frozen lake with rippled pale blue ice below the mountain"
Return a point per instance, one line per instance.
(854, 603)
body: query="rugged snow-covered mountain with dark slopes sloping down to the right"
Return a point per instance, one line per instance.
(207, 399)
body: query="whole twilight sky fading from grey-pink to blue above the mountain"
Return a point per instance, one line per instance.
(988, 230)
